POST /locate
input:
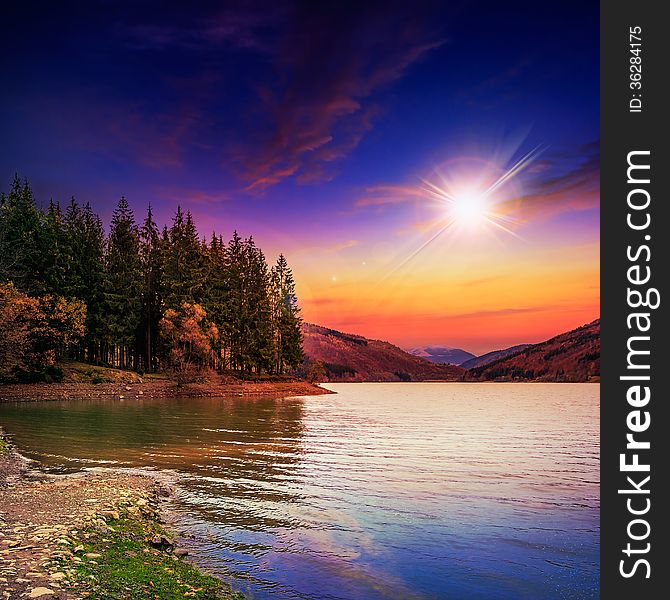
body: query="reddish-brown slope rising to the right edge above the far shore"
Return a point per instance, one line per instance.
(572, 356)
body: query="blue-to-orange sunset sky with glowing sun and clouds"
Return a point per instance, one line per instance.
(429, 169)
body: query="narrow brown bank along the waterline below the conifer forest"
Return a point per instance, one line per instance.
(158, 388)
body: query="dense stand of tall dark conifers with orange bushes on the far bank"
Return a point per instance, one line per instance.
(137, 297)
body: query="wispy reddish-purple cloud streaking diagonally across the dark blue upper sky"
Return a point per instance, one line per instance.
(329, 68)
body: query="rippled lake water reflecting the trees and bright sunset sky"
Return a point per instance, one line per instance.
(457, 491)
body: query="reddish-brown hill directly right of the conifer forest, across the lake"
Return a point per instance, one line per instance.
(349, 357)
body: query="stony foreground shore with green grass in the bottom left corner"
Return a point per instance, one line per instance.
(95, 533)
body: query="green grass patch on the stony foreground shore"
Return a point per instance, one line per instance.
(129, 568)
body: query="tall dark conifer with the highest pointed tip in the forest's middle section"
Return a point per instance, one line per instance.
(123, 284)
